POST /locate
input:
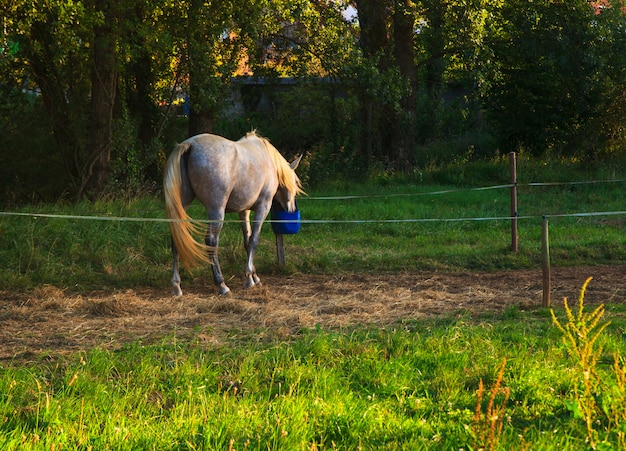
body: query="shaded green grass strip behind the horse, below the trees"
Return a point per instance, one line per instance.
(89, 254)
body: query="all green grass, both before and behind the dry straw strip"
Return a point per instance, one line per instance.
(433, 384)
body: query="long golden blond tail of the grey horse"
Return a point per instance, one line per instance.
(182, 228)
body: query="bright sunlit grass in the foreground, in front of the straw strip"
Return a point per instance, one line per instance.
(410, 387)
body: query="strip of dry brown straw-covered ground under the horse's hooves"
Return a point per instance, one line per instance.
(51, 320)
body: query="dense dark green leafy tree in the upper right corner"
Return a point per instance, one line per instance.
(546, 74)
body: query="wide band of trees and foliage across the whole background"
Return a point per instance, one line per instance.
(543, 77)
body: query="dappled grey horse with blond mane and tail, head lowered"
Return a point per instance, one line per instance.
(226, 177)
